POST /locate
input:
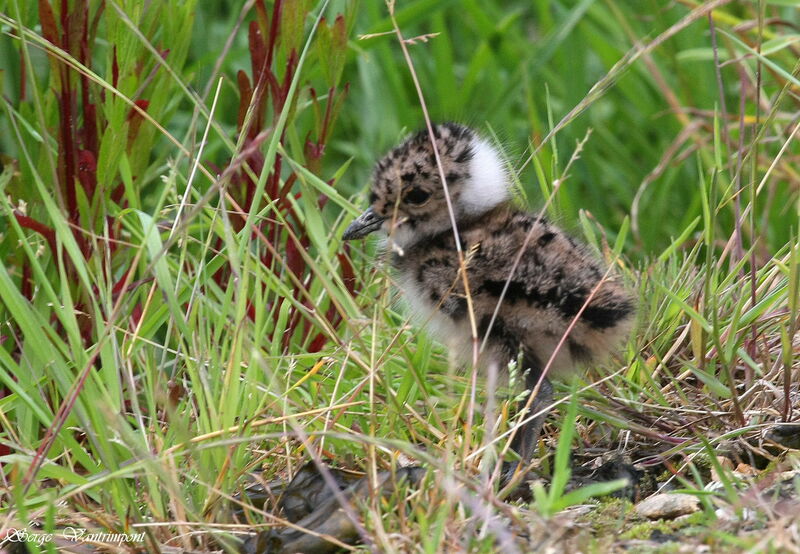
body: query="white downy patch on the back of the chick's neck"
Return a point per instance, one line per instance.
(488, 184)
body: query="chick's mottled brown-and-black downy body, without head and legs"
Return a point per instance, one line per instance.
(555, 277)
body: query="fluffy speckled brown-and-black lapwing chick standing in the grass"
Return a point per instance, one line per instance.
(550, 286)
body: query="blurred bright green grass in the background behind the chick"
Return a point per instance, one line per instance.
(515, 68)
